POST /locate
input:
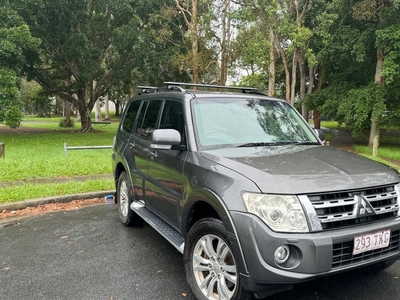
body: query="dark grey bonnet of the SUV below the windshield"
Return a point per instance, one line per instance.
(301, 169)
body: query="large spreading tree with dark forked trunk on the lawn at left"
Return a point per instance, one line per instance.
(90, 45)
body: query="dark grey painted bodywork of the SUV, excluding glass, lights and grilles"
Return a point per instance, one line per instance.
(186, 184)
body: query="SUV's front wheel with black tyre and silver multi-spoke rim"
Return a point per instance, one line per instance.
(215, 265)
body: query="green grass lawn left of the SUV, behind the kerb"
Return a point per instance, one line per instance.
(36, 150)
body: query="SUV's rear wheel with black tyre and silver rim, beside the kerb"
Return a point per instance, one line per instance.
(124, 200)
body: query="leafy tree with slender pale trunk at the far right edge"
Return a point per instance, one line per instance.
(379, 22)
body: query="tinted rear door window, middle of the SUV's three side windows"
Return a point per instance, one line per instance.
(148, 118)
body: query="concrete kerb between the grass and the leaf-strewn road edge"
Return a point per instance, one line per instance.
(54, 199)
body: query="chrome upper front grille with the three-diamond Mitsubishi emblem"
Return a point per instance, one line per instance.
(343, 209)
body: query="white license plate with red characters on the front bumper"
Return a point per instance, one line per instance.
(371, 241)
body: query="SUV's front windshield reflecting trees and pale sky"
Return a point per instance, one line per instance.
(230, 122)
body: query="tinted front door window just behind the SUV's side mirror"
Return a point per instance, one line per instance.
(172, 118)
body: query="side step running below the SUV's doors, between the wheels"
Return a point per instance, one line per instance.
(170, 234)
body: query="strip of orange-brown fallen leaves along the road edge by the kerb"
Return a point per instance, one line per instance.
(45, 208)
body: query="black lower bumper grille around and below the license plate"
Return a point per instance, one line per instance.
(342, 255)
